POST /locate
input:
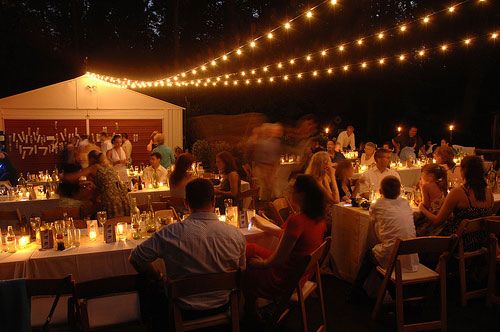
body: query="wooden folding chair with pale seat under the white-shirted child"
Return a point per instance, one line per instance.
(441, 245)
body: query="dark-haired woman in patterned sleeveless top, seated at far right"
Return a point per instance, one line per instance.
(471, 200)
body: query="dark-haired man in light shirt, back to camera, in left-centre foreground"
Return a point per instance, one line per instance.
(200, 244)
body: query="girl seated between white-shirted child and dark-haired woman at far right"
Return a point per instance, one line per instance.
(434, 188)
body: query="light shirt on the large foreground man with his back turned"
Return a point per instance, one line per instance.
(200, 244)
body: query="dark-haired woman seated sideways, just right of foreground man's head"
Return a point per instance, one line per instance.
(230, 184)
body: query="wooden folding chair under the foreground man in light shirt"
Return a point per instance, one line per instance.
(228, 281)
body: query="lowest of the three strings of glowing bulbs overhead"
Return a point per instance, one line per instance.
(363, 65)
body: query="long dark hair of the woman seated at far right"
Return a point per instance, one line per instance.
(473, 170)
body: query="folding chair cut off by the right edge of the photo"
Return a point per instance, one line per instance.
(493, 227)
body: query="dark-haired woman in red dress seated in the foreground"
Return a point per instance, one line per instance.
(301, 234)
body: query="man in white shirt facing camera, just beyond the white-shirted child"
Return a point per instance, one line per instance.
(370, 180)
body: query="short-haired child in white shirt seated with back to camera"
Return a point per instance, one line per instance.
(392, 219)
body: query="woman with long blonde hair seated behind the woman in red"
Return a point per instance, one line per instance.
(321, 169)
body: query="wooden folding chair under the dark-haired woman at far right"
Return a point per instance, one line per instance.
(467, 227)
